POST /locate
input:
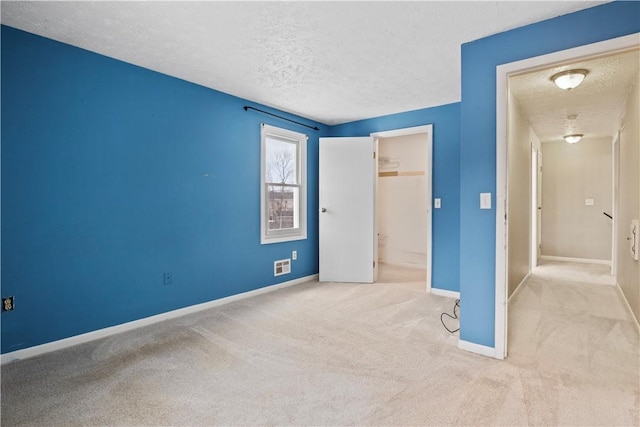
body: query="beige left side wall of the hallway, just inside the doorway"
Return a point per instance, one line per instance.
(520, 140)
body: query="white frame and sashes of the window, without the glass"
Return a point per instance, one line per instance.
(276, 236)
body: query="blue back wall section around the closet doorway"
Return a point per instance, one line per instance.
(446, 180)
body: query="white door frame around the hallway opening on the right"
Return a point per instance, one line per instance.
(502, 78)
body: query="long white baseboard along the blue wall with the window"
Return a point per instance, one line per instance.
(112, 330)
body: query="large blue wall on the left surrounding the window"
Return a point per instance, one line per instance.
(103, 191)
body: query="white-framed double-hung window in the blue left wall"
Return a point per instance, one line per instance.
(283, 185)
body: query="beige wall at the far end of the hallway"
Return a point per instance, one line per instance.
(571, 174)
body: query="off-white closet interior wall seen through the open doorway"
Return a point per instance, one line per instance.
(402, 202)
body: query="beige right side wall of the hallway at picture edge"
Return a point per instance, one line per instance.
(628, 271)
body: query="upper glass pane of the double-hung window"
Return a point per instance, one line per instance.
(281, 161)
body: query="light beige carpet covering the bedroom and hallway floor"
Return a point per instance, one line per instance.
(346, 354)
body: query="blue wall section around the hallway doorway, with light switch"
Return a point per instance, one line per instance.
(478, 140)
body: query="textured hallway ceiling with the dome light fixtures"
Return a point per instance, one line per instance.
(597, 103)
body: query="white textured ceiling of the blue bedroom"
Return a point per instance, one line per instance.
(330, 61)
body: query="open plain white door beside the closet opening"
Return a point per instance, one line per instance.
(347, 169)
